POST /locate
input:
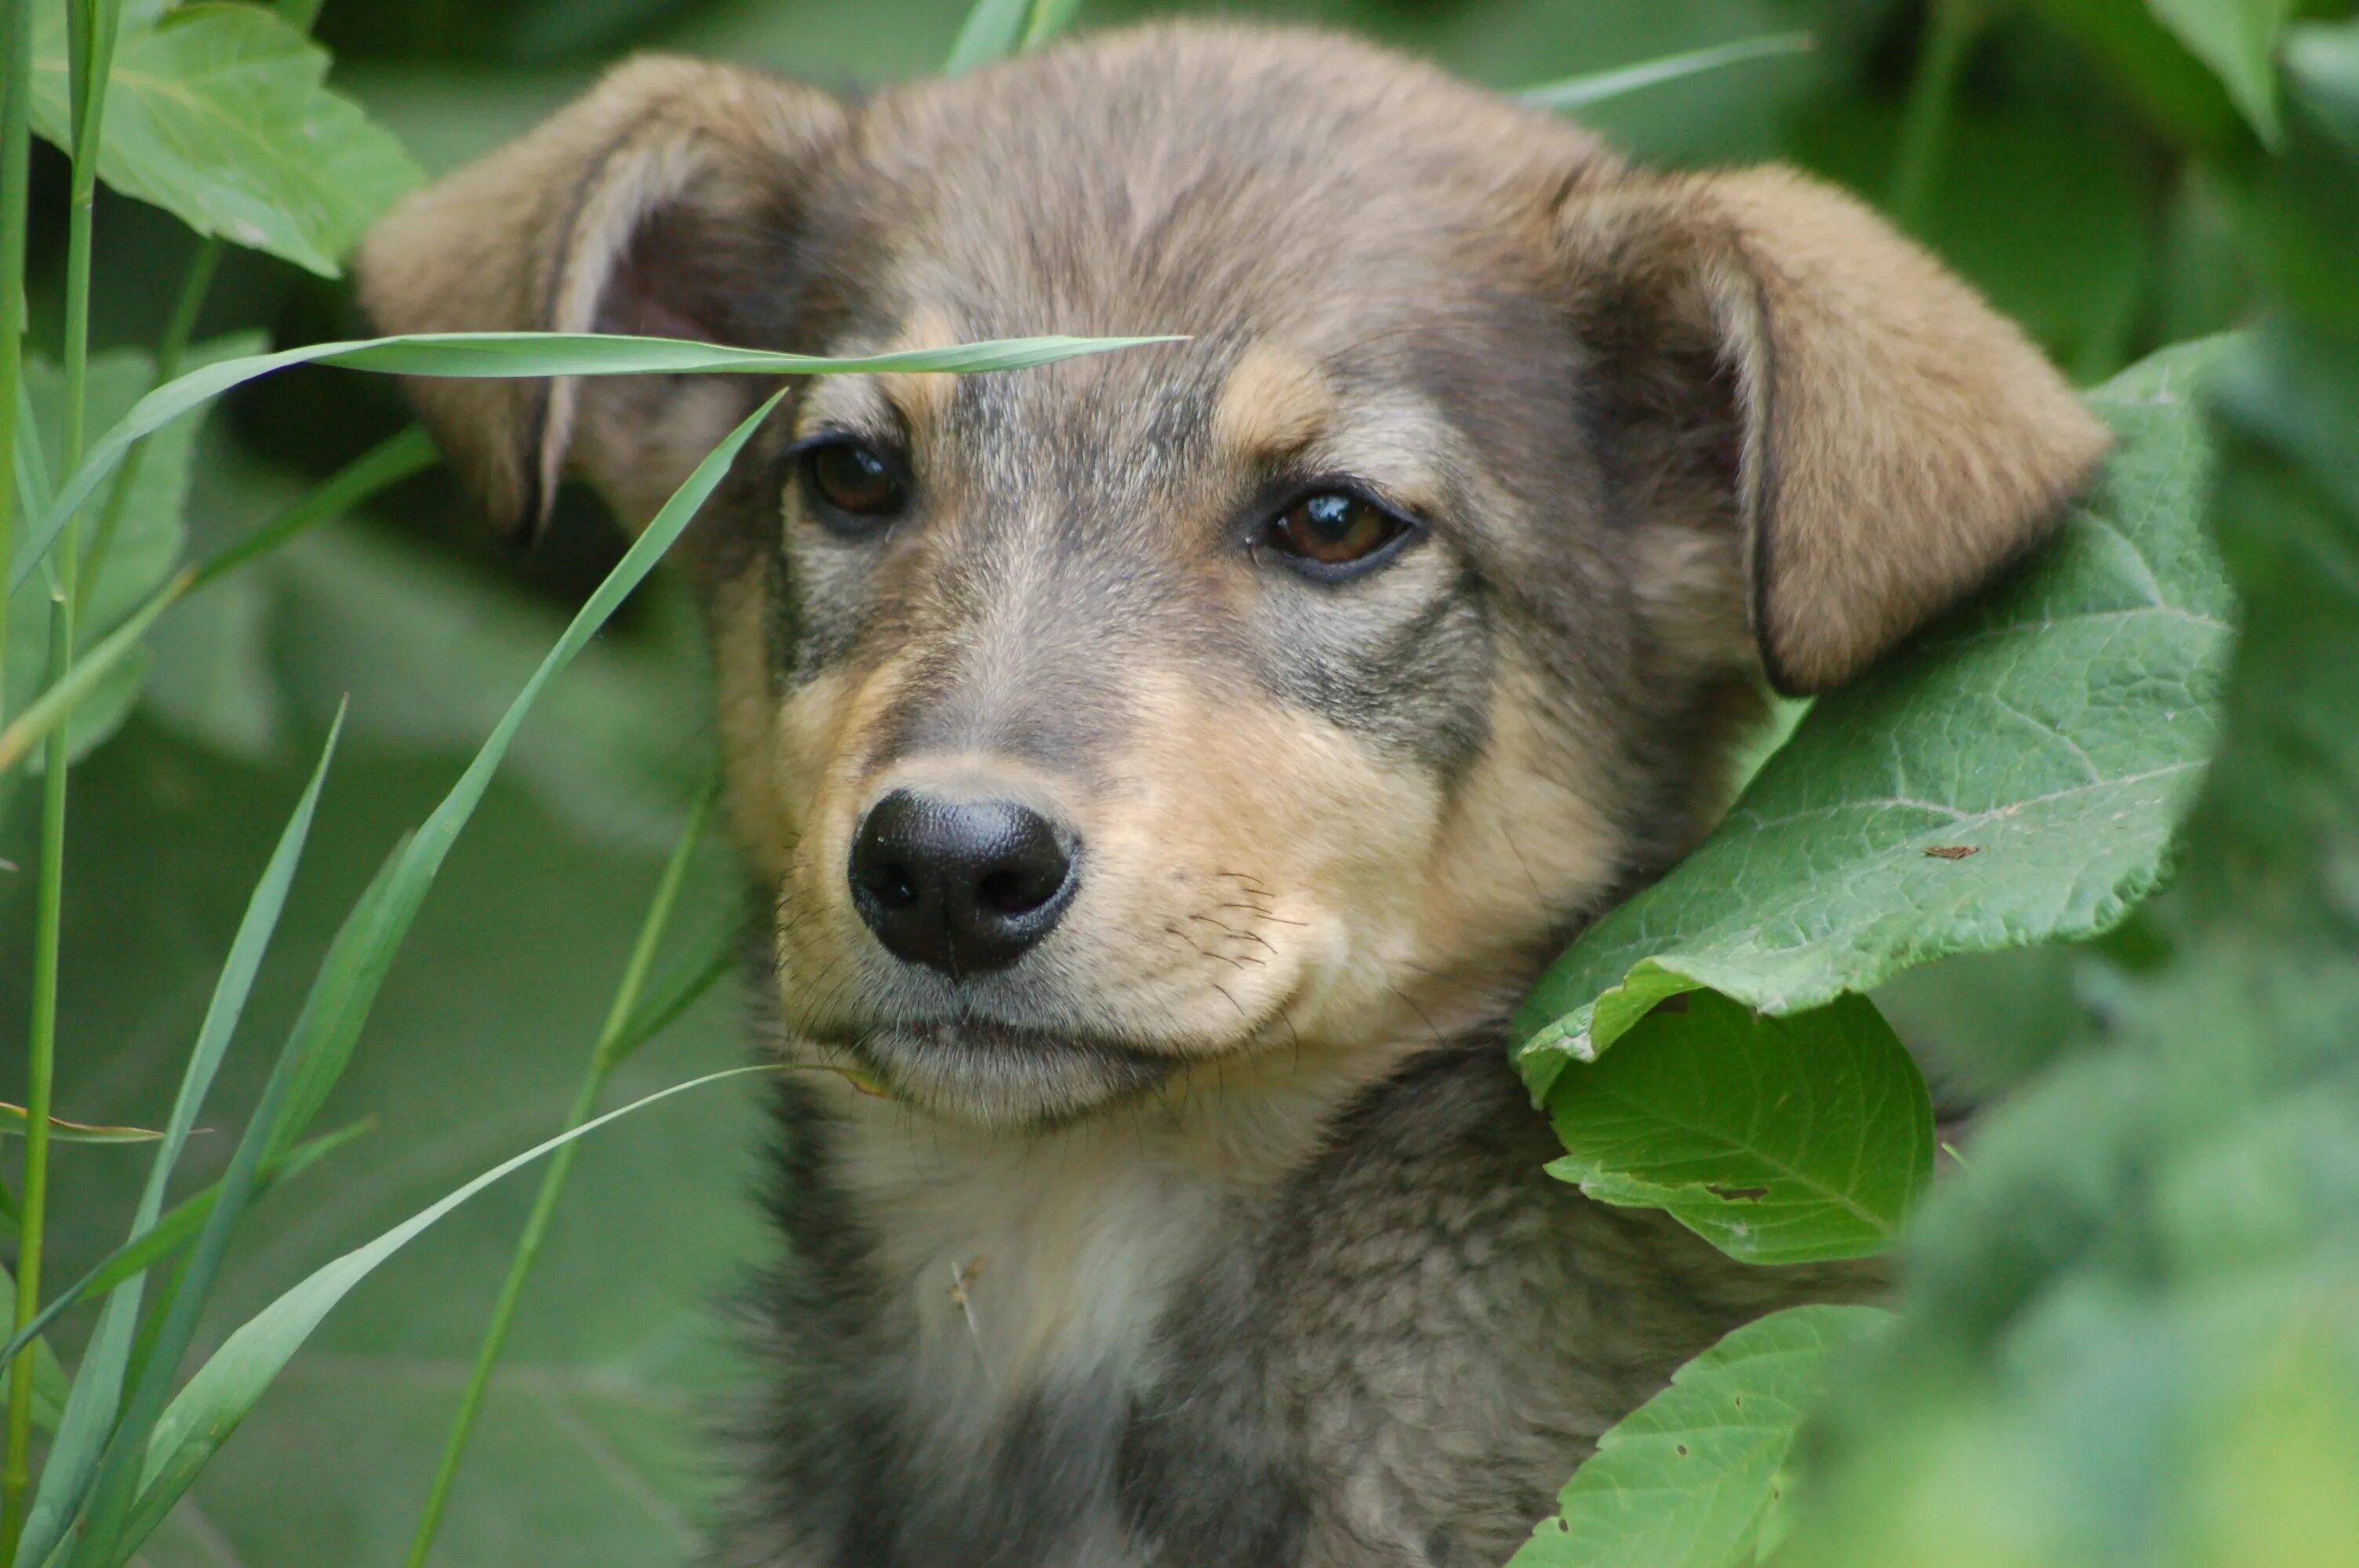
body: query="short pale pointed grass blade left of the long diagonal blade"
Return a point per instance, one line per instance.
(98, 1388)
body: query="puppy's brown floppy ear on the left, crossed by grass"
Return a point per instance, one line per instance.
(659, 206)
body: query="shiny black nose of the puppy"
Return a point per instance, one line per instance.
(959, 885)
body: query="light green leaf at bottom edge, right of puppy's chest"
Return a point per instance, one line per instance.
(1690, 1477)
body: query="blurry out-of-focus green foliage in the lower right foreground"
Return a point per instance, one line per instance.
(2134, 1324)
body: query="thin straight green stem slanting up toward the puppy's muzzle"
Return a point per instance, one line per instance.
(603, 1058)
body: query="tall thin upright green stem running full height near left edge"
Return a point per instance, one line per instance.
(93, 44)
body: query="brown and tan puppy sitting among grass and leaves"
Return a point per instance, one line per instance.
(1169, 767)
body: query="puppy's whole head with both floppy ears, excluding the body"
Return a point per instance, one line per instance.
(1273, 699)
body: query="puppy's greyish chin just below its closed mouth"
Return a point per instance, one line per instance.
(1006, 1076)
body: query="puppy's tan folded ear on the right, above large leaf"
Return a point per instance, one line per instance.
(1884, 440)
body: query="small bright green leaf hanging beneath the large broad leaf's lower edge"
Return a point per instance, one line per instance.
(1775, 1140)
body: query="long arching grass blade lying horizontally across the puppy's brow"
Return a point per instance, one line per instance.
(515, 355)
